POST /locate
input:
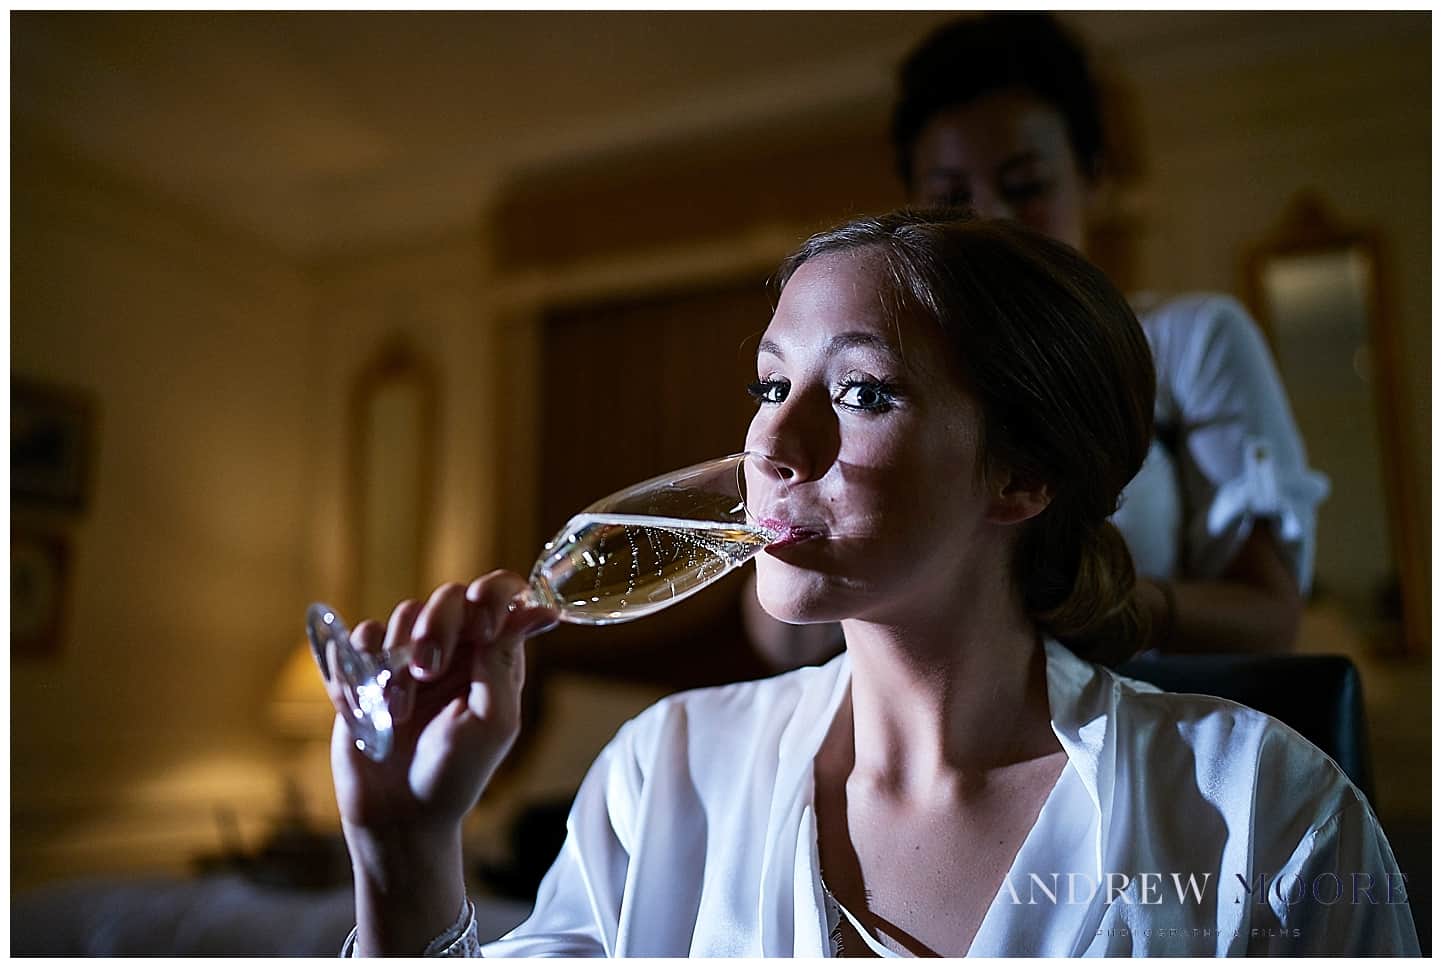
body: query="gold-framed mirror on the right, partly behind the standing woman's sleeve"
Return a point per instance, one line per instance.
(1316, 289)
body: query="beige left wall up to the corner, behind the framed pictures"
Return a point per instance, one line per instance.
(187, 569)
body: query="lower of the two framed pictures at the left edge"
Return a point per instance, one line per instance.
(40, 572)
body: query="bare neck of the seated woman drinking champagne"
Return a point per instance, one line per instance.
(938, 705)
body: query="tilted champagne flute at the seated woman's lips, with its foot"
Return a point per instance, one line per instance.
(622, 559)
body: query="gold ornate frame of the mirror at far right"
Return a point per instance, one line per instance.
(1309, 230)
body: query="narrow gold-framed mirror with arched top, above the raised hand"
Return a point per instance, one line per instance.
(393, 446)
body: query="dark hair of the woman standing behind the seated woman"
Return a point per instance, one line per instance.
(978, 56)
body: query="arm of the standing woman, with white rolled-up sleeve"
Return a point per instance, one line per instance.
(1249, 494)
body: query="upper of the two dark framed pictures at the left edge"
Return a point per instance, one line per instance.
(53, 441)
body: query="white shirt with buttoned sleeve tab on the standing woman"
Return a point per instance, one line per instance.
(1226, 451)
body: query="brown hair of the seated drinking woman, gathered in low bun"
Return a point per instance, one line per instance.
(1065, 380)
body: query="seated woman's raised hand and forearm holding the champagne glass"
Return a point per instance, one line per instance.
(455, 725)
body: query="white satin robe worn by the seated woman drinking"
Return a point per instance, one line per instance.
(694, 835)
